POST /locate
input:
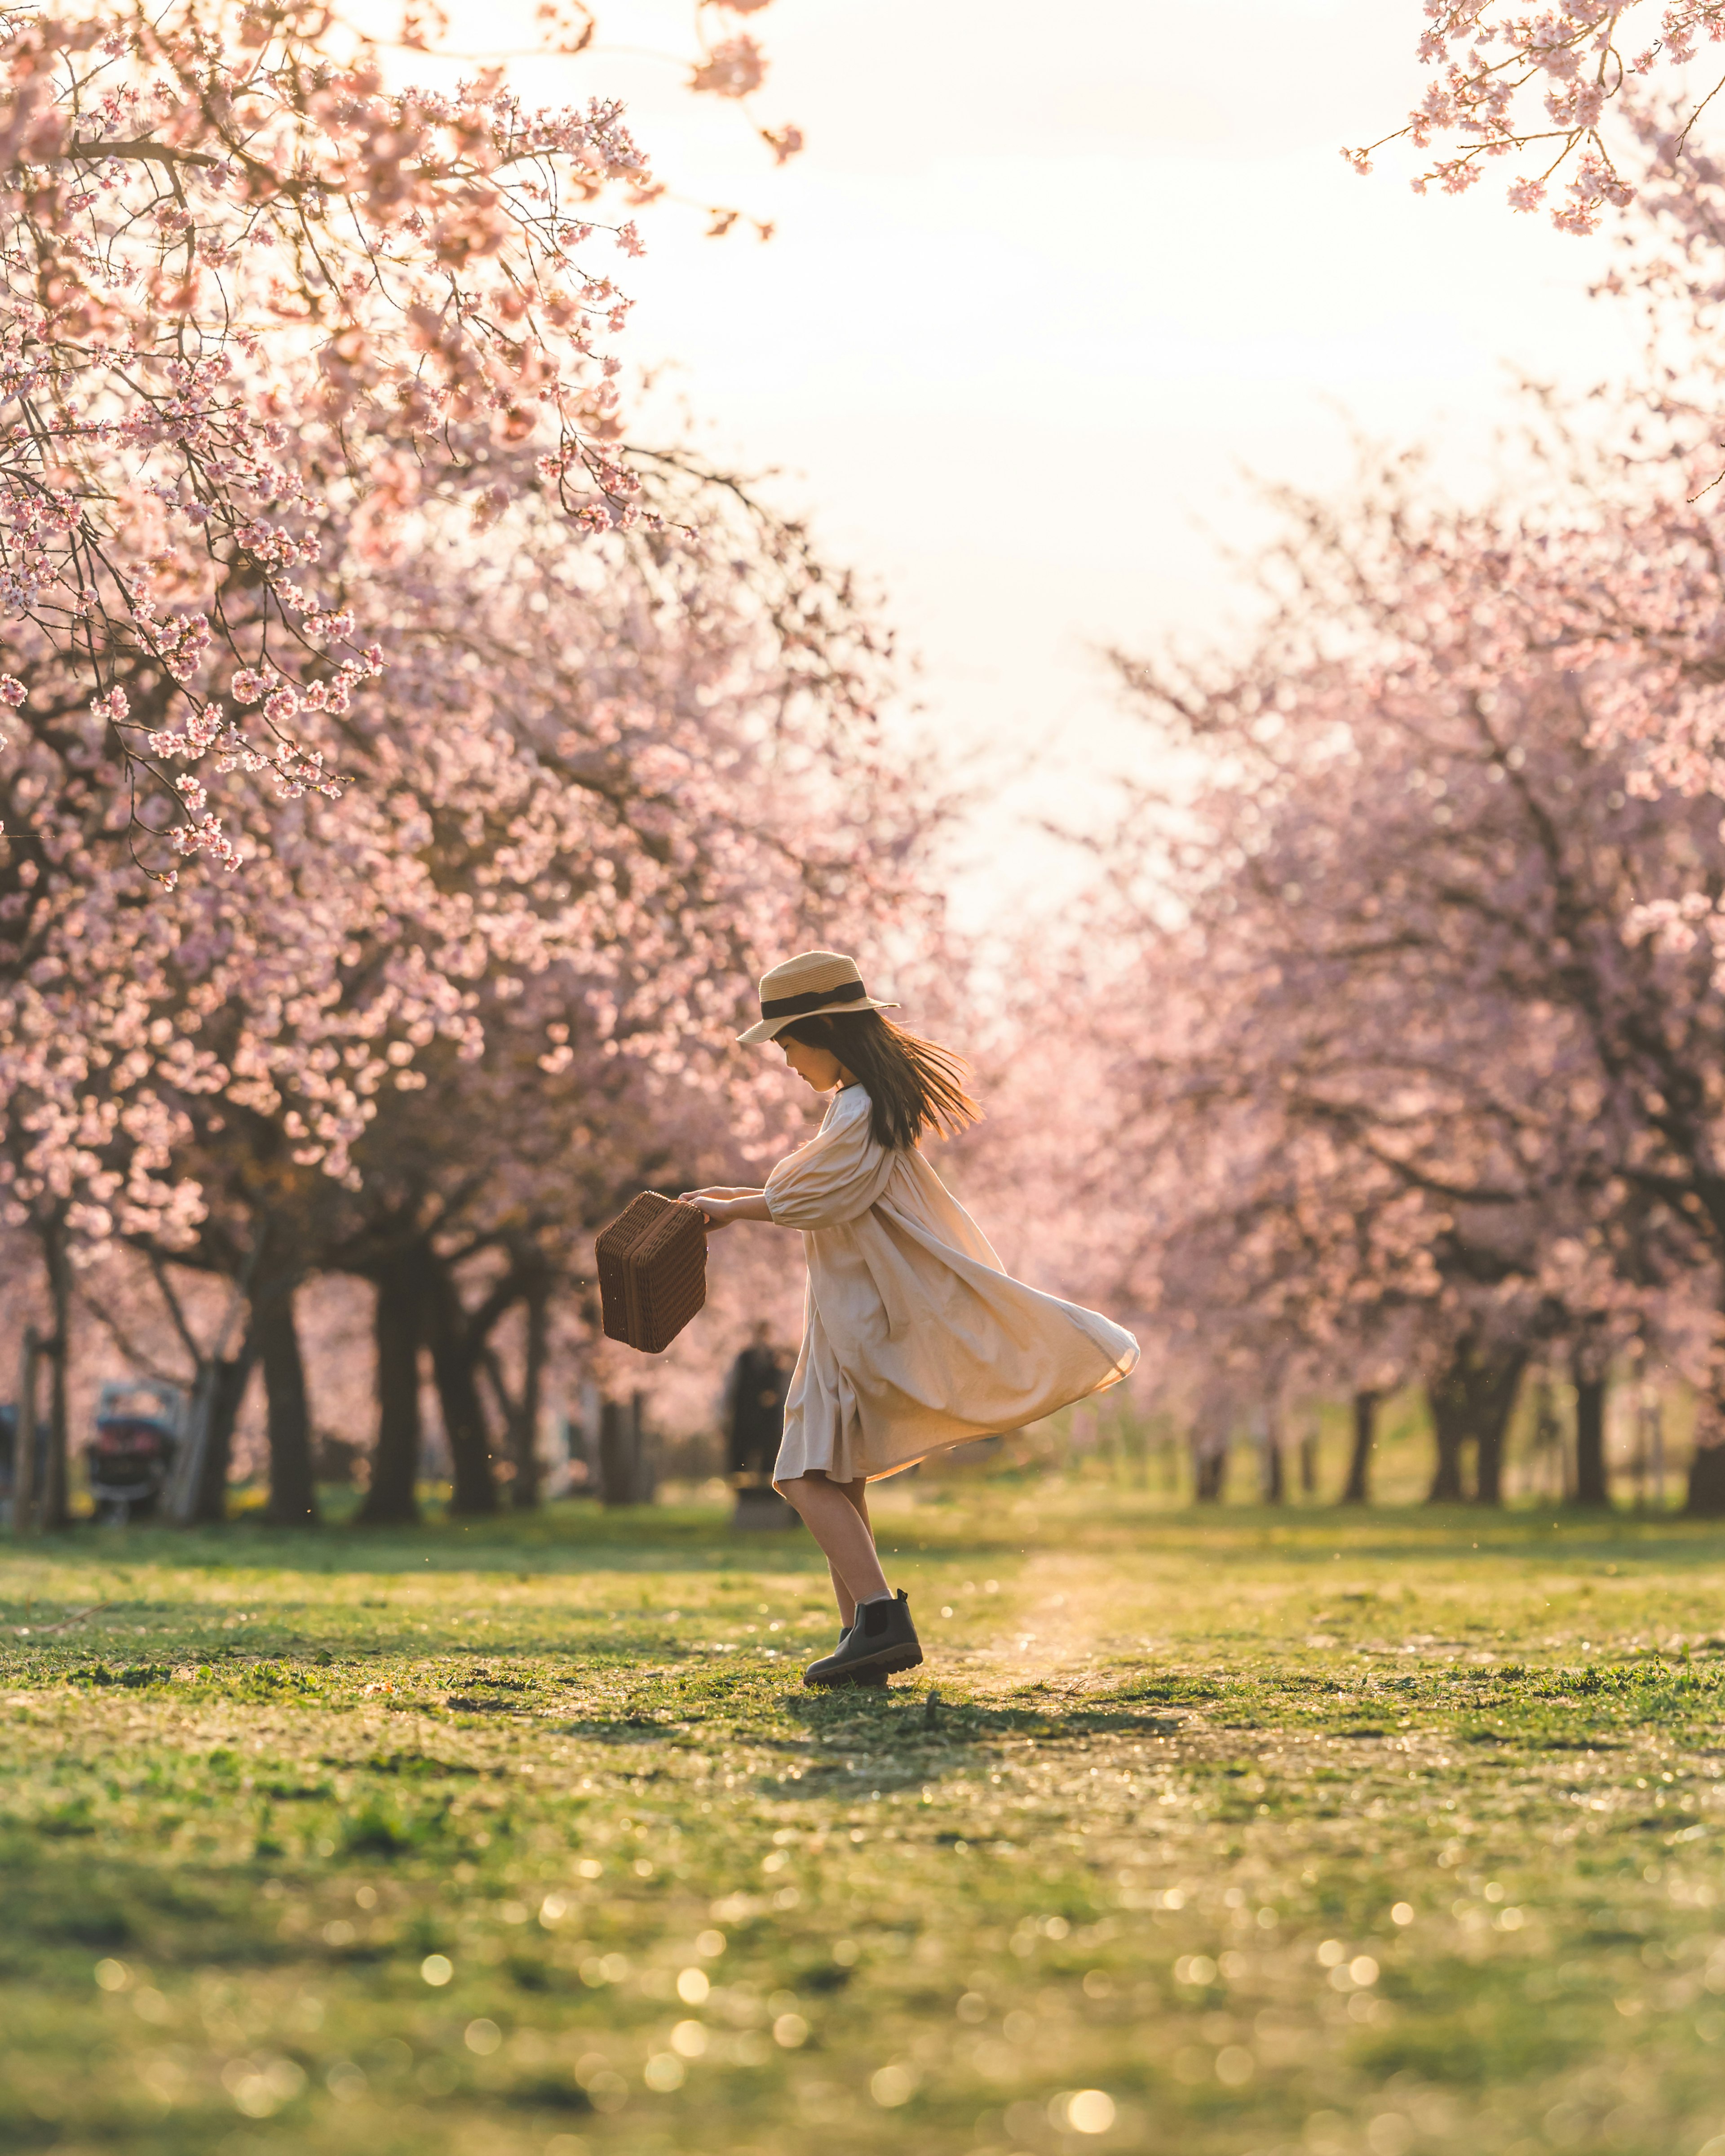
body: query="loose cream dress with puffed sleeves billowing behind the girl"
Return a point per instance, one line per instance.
(913, 1336)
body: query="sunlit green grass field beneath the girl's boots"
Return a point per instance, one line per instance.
(1198, 1836)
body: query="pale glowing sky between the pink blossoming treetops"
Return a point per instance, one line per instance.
(1045, 286)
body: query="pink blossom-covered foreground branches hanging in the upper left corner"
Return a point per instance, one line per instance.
(247, 284)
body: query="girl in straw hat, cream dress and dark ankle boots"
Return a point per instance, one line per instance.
(915, 1340)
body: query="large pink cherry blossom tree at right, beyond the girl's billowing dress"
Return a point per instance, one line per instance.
(1457, 1040)
